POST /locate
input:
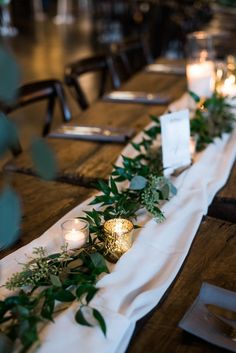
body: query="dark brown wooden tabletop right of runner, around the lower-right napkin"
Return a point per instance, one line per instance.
(211, 259)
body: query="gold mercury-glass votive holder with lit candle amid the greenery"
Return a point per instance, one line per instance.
(118, 237)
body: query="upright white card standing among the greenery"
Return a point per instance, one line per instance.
(175, 135)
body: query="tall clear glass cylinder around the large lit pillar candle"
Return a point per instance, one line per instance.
(200, 68)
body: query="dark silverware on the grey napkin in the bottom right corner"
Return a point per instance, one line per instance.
(221, 325)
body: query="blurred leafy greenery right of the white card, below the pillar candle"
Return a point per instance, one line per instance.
(212, 118)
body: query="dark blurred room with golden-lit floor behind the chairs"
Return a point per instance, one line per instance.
(46, 35)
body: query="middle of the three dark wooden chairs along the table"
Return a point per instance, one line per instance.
(95, 64)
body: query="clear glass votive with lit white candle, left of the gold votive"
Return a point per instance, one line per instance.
(75, 233)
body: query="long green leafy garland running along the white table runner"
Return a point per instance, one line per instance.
(72, 275)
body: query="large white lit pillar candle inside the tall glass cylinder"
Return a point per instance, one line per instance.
(201, 78)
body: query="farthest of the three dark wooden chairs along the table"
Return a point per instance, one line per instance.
(134, 54)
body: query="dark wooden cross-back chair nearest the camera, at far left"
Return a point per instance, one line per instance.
(49, 90)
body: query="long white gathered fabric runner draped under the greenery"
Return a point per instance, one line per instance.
(139, 279)
